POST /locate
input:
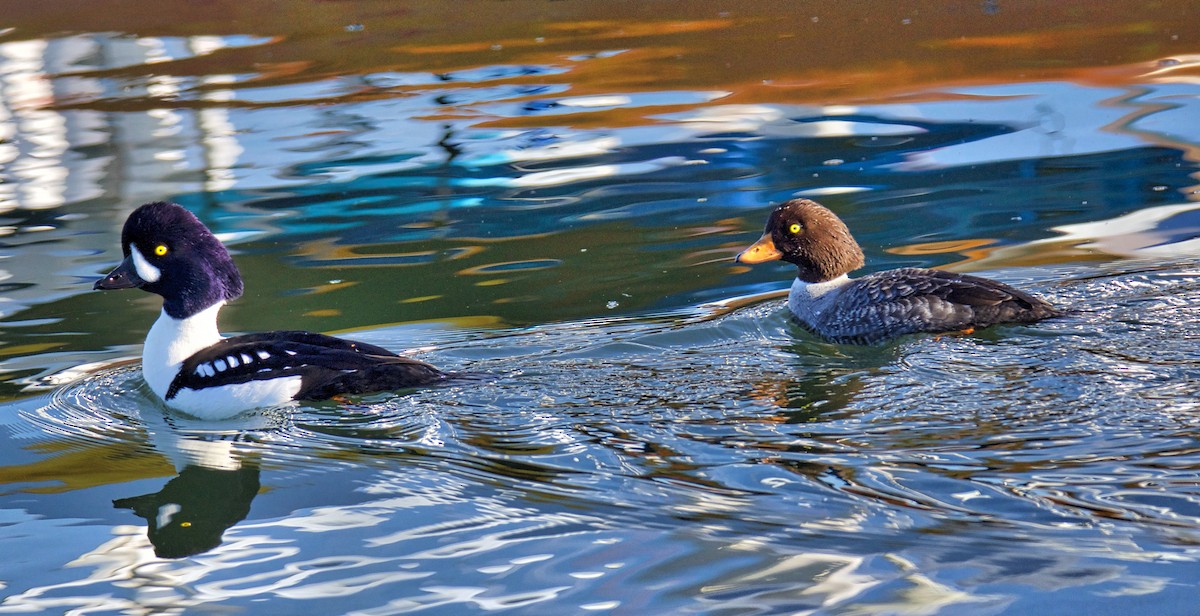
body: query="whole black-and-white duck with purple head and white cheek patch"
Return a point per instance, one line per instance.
(194, 369)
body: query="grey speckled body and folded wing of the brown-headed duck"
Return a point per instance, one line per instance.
(909, 301)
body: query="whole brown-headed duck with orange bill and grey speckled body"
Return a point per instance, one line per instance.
(881, 306)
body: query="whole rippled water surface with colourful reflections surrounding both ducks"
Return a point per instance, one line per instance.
(549, 201)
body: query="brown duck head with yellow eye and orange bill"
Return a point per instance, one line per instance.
(809, 236)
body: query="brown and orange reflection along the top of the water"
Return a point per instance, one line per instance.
(761, 52)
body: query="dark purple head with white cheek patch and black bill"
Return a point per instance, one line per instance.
(169, 252)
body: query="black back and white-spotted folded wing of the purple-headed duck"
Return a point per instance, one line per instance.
(327, 366)
